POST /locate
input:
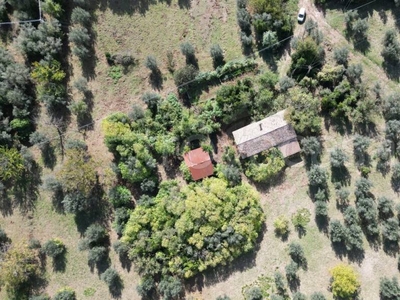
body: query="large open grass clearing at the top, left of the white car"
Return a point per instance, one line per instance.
(160, 29)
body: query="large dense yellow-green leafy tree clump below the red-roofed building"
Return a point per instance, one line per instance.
(189, 229)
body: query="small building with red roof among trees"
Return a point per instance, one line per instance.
(199, 163)
